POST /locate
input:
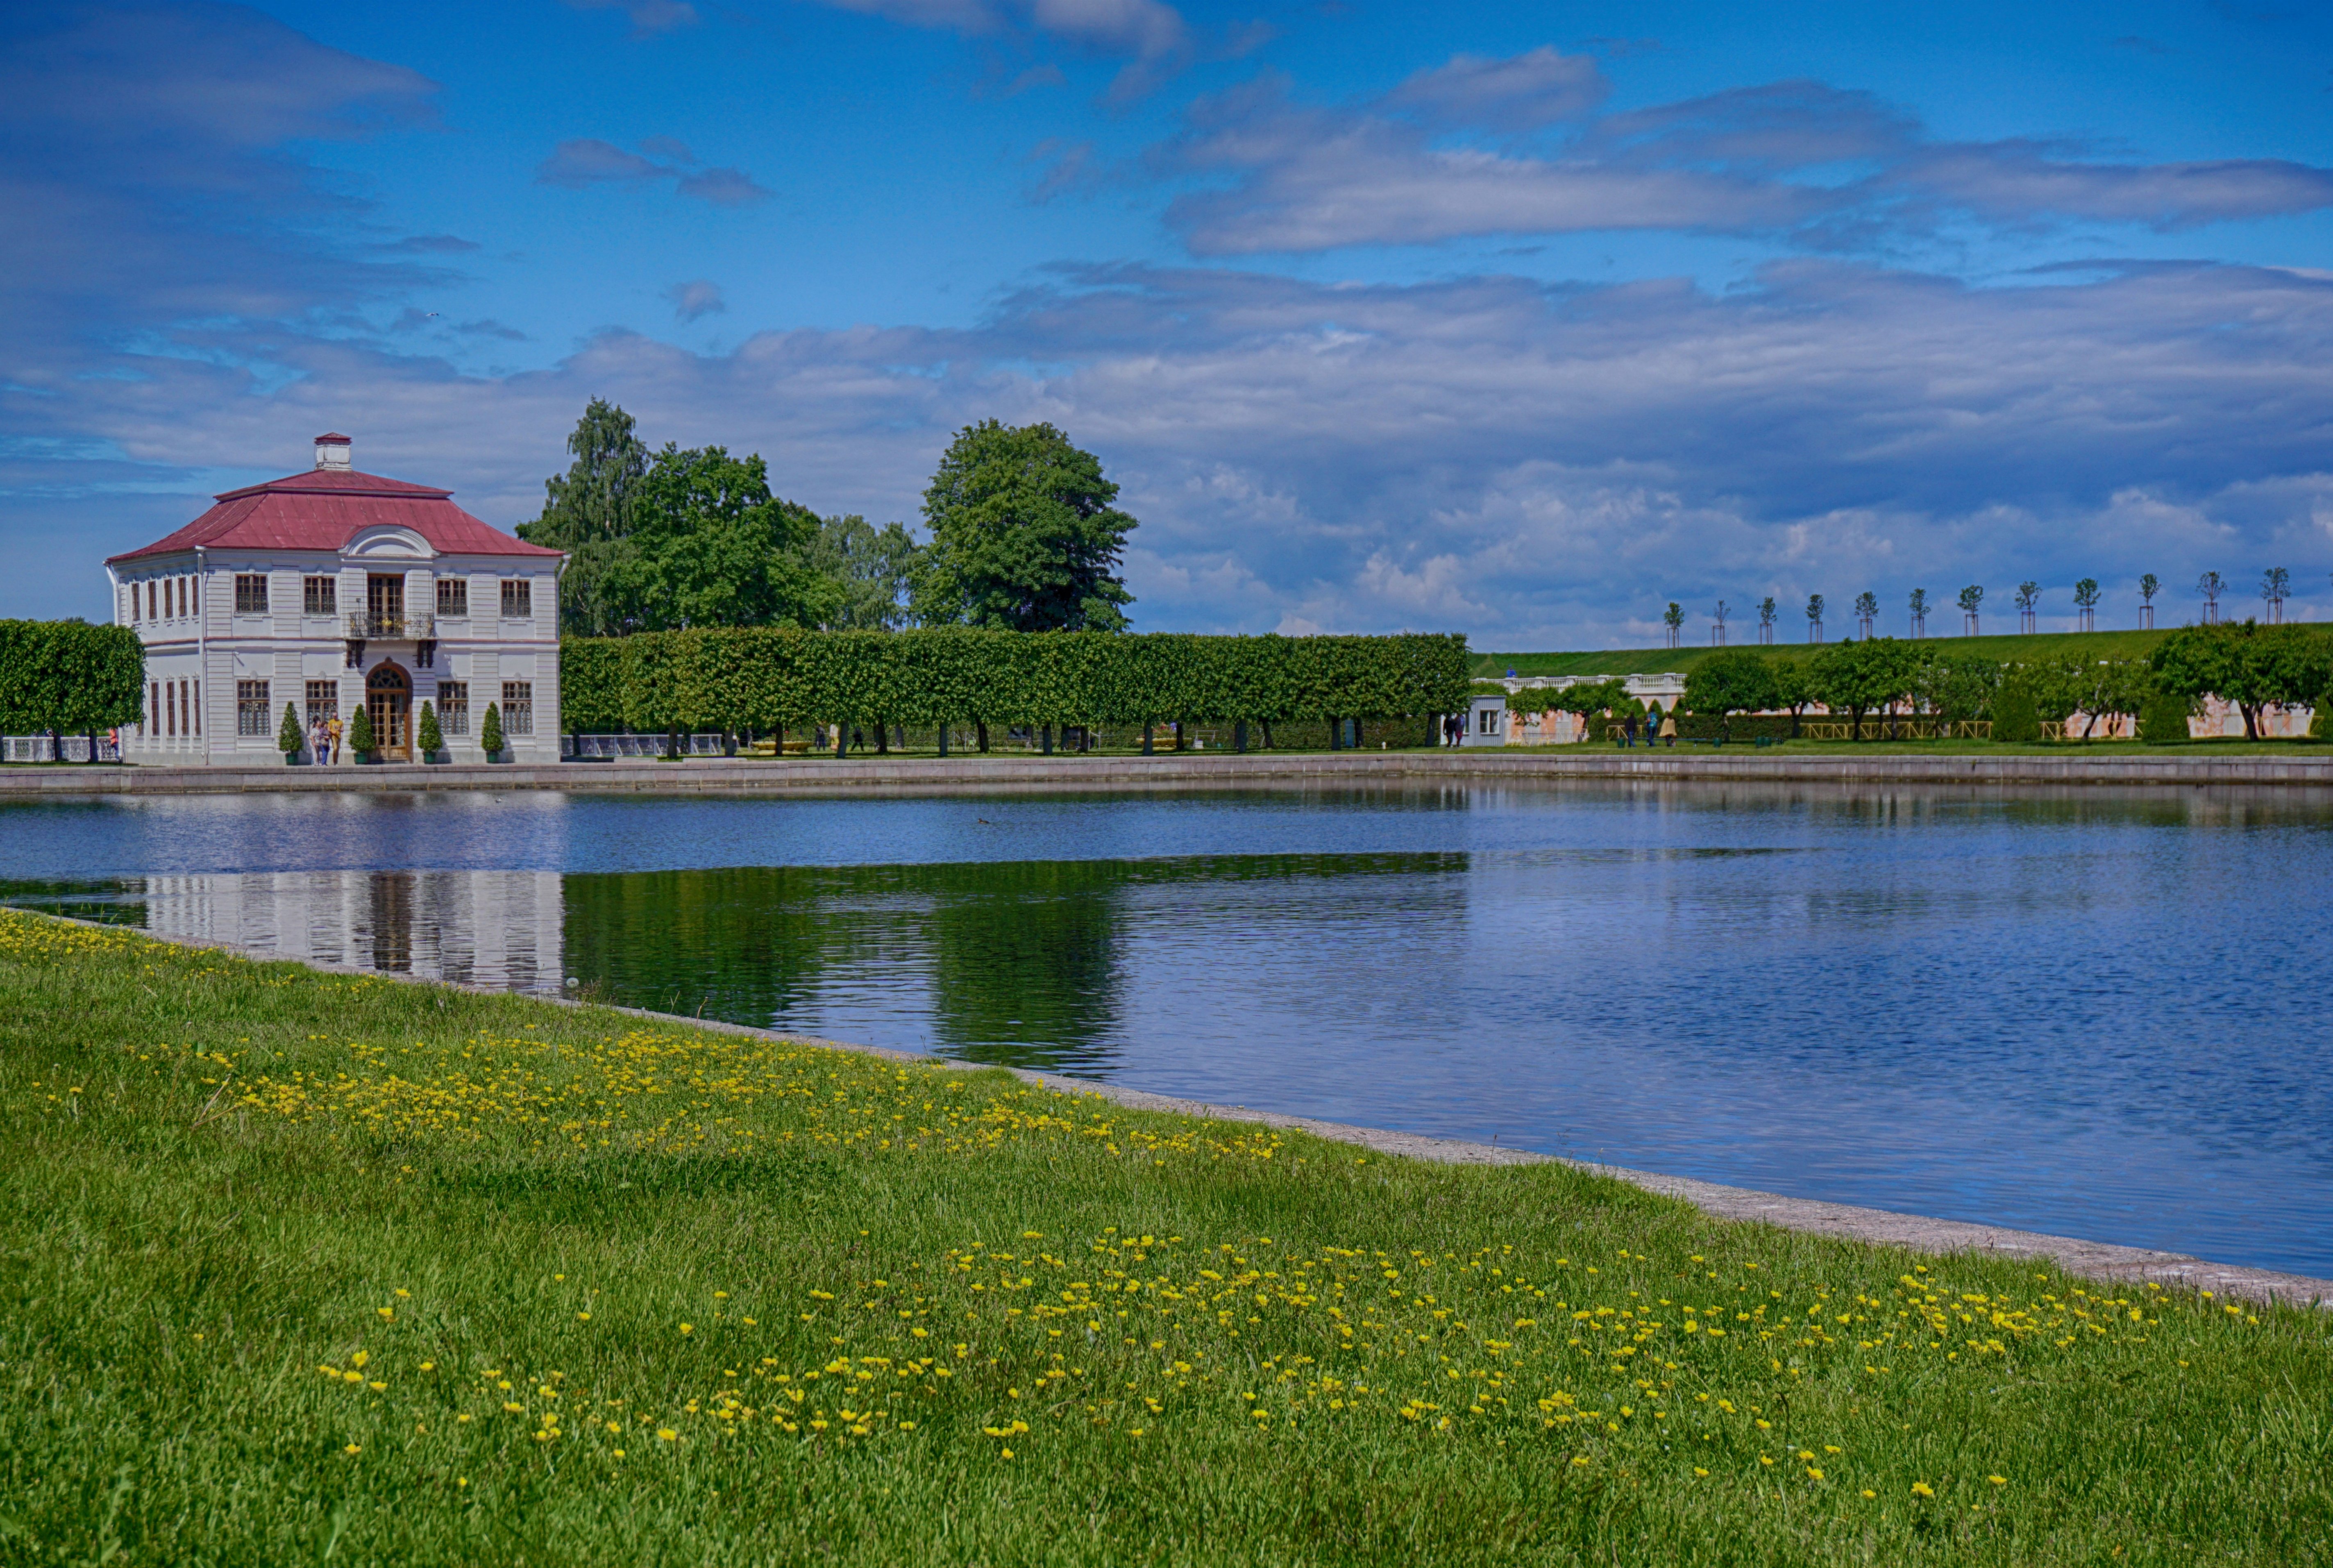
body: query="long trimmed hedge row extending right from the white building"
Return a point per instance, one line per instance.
(773, 678)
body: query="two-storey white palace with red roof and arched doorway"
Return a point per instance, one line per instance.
(337, 589)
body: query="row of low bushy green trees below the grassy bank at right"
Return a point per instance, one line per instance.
(2243, 664)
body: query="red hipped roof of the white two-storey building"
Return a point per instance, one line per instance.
(325, 510)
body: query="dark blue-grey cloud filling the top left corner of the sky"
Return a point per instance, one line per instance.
(160, 167)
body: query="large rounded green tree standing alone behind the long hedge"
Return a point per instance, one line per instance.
(1025, 535)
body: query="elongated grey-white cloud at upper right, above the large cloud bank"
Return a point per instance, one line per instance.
(1520, 146)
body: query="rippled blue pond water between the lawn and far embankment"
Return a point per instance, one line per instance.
(2087, 1014)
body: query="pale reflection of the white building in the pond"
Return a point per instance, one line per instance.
(477, 927)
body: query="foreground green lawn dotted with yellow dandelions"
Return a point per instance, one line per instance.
(323, 1268)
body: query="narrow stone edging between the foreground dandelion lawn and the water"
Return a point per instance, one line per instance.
(2101, 1261)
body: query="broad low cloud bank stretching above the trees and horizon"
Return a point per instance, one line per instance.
(1520, 461)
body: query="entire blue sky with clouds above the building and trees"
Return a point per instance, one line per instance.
(1513, 321)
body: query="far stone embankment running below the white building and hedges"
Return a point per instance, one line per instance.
(1191, 771)
